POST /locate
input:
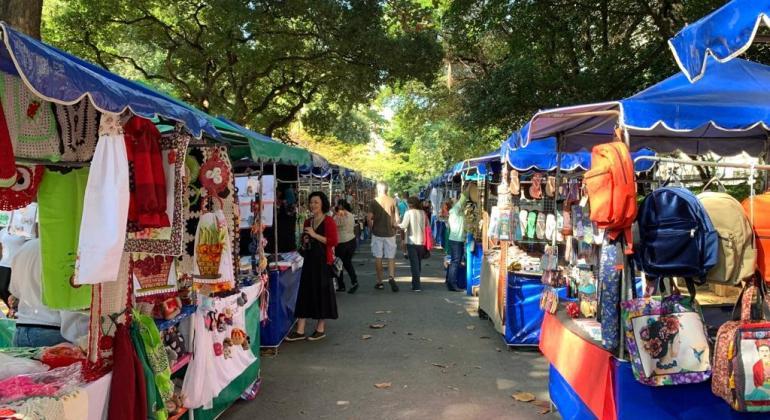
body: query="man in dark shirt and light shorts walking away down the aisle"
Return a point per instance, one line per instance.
(383, 218)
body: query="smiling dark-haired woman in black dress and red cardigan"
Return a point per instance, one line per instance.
(316, 298)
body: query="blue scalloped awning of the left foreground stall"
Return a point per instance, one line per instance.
(59, 77)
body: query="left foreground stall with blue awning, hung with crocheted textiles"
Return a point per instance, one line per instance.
(137, 236)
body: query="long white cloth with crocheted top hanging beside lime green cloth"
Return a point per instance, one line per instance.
(105, 208)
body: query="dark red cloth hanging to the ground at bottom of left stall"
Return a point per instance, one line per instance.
(128, 393)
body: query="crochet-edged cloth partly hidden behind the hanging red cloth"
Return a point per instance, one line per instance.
(167, 240)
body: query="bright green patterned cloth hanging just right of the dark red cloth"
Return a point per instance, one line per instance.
(156, 354)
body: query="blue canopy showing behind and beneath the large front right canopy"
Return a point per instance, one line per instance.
(541, 155)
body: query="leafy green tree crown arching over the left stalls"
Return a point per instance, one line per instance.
(258, 62)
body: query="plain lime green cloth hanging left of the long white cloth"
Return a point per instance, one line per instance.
(60, 208)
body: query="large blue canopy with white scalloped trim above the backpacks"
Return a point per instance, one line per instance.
(726, 112)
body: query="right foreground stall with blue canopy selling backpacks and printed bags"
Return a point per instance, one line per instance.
(724, 112)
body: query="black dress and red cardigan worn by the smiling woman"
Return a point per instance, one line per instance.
(316, 296)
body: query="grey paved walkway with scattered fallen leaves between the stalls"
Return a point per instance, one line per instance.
(440, 359)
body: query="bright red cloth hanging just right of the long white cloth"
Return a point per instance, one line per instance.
(147, 206)
